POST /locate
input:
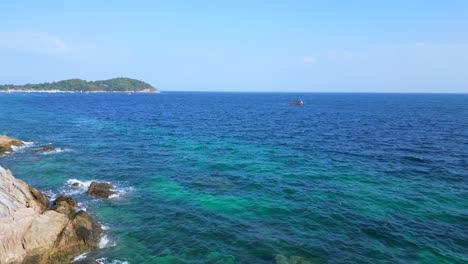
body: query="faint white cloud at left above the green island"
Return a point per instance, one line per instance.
(33, 42)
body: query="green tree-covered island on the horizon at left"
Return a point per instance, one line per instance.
(78, 85)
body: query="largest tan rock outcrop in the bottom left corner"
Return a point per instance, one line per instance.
(31, 233)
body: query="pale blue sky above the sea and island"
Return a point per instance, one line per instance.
(287, 46)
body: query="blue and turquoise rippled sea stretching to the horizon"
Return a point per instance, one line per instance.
(247, 178)
